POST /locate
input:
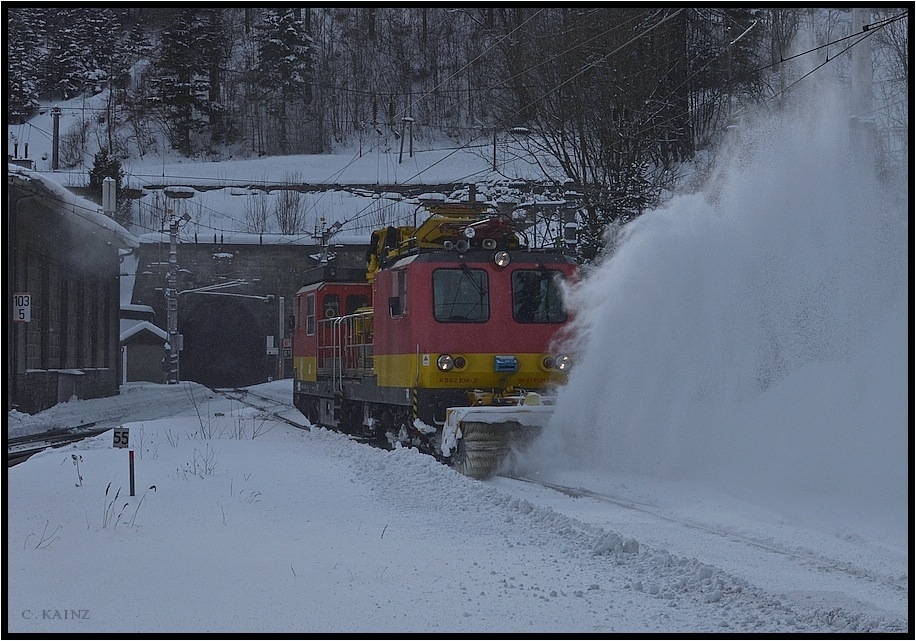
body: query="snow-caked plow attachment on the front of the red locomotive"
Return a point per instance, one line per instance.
(477, 440)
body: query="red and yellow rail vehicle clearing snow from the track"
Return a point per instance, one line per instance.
(458, 312)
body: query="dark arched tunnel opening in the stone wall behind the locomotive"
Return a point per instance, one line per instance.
(224, 341)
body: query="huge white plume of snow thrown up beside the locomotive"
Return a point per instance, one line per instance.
(753, 337)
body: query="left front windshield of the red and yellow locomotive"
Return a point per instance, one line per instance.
(460, 295)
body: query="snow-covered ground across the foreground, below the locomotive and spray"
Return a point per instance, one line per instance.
(241, 523)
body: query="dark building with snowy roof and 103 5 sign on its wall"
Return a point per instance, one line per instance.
(63, 271)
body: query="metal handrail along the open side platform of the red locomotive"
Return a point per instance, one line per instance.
(345, 347)
